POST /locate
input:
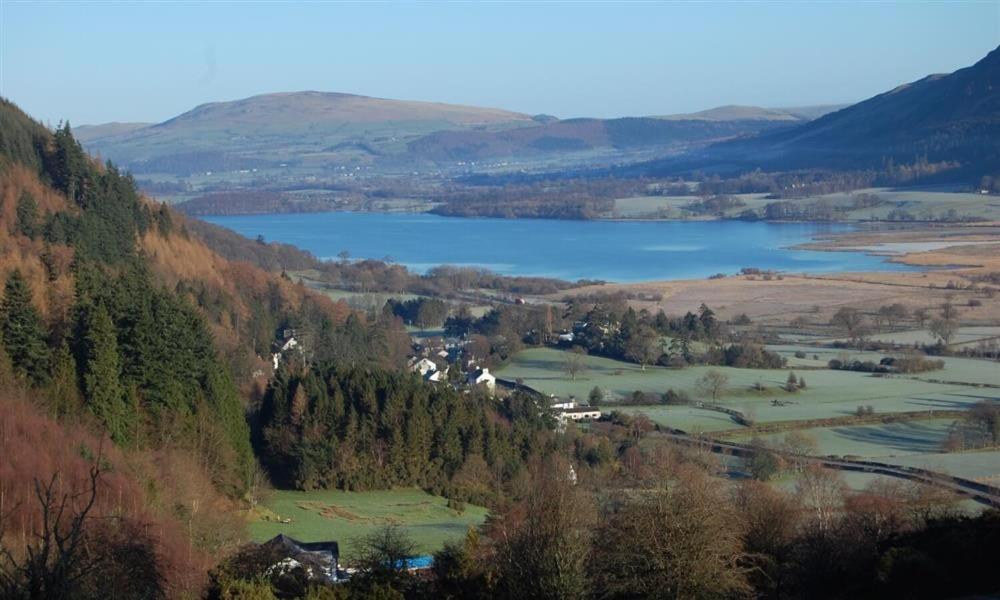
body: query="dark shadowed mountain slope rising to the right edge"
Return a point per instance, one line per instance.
(952, 117)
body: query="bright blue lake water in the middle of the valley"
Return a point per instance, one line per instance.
(609, 250)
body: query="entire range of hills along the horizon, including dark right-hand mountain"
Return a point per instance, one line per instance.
(951, 118)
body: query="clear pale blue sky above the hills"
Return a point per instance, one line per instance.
(94, 62)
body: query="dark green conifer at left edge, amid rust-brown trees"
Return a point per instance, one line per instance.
(22, 331)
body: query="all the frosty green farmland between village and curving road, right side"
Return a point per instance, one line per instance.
(912, 440)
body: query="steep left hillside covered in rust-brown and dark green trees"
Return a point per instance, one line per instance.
(127, 345)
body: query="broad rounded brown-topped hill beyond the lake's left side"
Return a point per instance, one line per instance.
(309, 129)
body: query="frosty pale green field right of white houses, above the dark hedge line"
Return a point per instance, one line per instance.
(828, 394)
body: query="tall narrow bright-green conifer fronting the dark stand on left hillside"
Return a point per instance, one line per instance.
(102, 374)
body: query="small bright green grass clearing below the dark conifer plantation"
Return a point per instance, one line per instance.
(346, 516)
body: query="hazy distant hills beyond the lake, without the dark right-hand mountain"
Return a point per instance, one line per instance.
(312, 131)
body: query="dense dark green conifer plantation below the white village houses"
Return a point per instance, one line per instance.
(337, 426)
